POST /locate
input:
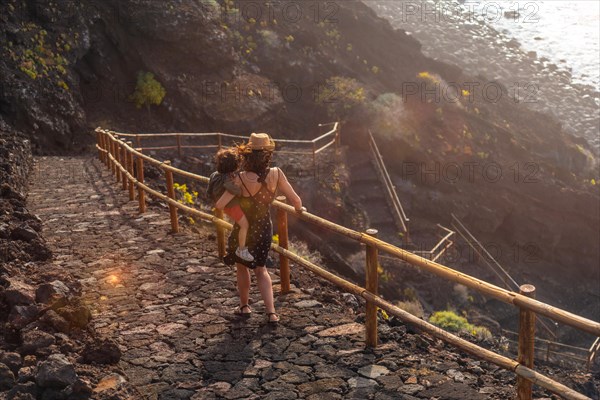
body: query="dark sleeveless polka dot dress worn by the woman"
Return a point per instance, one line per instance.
(260, 233)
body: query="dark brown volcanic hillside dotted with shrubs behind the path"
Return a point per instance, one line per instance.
(239, 66)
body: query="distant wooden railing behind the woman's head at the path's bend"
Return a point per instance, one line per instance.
(311, 147)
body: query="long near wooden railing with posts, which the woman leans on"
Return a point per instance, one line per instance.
(118, 155)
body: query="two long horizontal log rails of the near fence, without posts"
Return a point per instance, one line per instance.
(516, 299)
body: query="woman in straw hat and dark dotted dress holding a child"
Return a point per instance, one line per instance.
(259, 185)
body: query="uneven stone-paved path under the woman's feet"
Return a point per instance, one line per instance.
(168, 301)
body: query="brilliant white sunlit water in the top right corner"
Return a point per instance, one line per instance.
(565, 32)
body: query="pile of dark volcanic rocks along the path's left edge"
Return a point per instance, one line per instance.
(46, 350)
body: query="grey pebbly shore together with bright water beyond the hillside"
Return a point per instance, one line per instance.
(548, 50)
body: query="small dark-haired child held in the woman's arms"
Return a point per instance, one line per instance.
(222, 180)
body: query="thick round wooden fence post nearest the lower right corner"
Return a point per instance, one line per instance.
(526, 343)
